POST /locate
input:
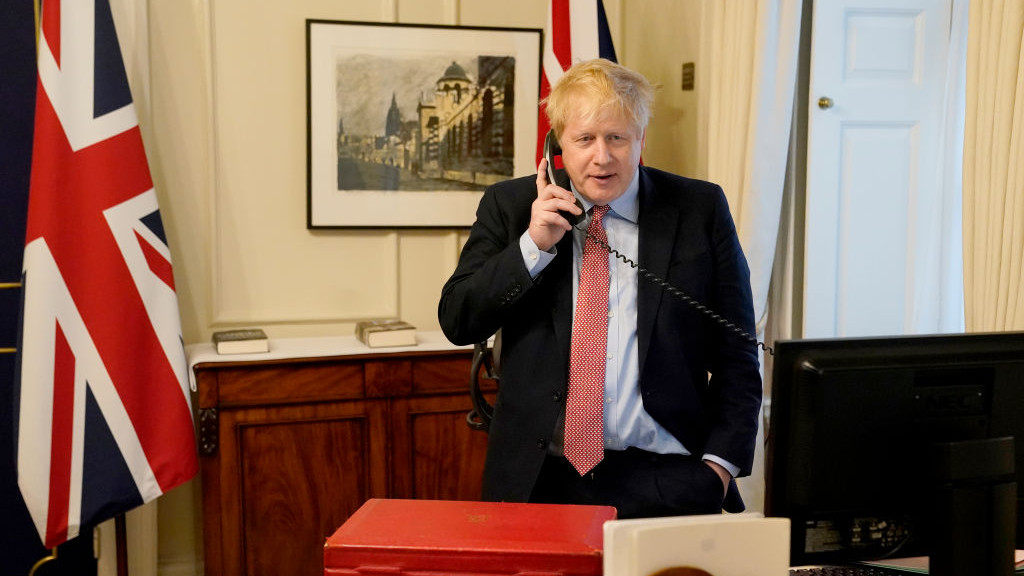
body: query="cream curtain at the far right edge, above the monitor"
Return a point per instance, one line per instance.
(994, 168)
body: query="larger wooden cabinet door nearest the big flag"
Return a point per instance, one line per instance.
(302, 472)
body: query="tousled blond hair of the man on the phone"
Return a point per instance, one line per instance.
(592, 89)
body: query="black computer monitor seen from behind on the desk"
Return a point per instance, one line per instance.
(888, 447)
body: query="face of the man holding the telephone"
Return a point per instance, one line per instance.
(602, 155)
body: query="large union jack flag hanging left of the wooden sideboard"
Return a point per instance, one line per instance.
(103, 417)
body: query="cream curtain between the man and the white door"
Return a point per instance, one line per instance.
(750, 51)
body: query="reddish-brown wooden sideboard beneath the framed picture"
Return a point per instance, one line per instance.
(291, 447)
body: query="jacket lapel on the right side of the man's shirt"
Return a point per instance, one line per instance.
(658, 233)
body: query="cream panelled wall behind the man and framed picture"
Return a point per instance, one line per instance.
(221, 89)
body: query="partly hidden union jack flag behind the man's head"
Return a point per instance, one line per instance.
(577, 30)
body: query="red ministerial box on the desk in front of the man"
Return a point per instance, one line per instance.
(394, 537)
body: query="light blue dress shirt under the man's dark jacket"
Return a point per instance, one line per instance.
(626, 422)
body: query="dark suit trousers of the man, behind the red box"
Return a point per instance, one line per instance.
(638, 484)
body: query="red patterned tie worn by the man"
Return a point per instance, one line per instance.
(585, 405)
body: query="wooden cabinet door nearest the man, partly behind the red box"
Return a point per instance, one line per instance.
(437, 455)
